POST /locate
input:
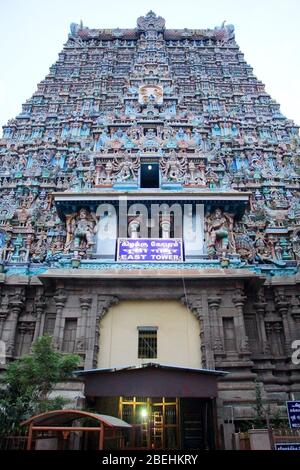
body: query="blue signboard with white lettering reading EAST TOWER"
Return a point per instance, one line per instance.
(150, 250)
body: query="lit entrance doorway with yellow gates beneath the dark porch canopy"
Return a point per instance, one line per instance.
(165, 423)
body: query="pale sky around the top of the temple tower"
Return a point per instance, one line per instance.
(32, 33)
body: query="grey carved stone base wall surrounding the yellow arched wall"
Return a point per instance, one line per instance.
(265, 321)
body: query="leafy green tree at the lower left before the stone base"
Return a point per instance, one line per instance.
(28, 382)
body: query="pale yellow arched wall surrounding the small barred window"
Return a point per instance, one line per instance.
(178, 340)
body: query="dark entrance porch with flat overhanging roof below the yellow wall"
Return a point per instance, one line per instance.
(167, 407)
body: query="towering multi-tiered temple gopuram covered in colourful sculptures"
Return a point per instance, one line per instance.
(149, 222)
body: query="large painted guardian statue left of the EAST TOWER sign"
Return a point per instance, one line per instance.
(81, 228)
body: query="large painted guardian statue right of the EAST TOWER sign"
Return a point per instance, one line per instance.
(219, 232)
